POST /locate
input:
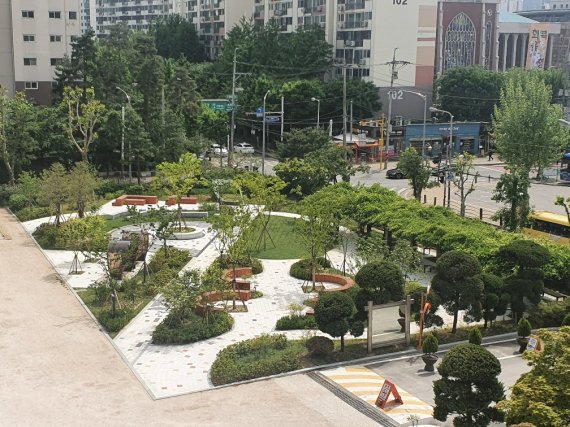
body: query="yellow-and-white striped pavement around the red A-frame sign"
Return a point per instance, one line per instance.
(366, 384)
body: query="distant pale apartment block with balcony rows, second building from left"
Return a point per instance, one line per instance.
(137, 14)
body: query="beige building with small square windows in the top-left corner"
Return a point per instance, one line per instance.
(34, 38)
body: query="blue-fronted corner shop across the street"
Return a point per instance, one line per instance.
(466, 137)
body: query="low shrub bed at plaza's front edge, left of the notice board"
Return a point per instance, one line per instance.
(255, 358)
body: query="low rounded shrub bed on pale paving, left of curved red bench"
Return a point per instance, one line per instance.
(191, 328)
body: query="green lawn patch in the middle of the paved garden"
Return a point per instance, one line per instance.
(288, 244)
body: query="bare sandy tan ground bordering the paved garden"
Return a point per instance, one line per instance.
(58, 369)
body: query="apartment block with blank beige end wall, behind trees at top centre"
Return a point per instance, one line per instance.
(213, 18)
